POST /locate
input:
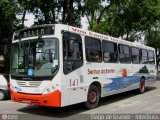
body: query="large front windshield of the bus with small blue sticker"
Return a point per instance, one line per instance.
(35, 57)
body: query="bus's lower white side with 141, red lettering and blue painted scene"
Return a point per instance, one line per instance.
(114, 78)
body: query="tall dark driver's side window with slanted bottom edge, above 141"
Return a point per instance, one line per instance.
(72, 52)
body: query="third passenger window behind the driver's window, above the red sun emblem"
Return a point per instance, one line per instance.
(124, 54)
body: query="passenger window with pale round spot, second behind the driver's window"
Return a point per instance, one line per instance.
(109, 52)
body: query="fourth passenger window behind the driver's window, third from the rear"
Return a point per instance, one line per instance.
(135, 55)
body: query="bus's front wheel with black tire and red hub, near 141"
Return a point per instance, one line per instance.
(93, 97)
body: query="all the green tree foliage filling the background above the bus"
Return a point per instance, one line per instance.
(129, 19)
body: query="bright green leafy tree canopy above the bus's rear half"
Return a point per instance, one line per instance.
(130, 19)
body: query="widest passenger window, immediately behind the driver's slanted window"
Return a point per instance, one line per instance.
(93, 49)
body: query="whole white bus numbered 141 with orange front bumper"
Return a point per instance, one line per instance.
(60, 65)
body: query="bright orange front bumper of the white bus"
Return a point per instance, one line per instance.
(52, 99)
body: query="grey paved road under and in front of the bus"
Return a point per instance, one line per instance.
(124, 103)
